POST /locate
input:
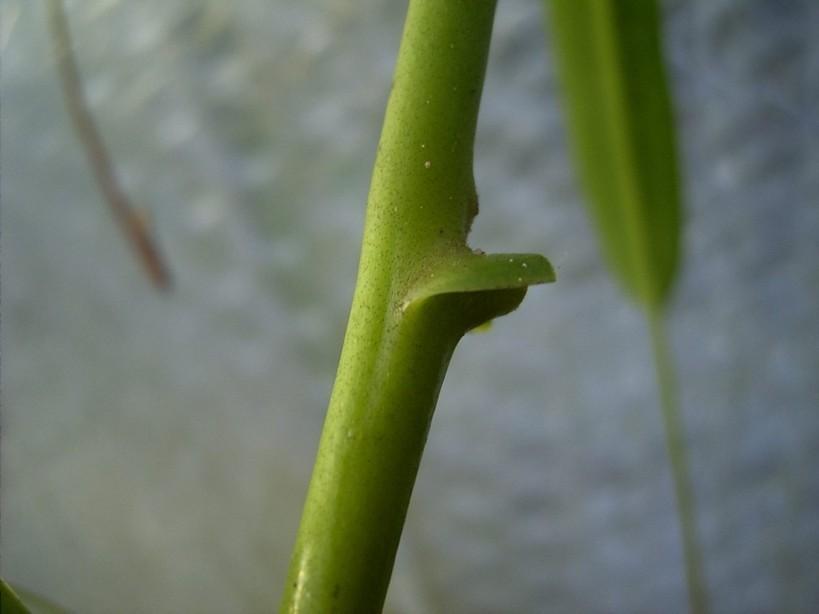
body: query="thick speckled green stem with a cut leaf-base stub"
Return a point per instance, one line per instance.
(419, 289)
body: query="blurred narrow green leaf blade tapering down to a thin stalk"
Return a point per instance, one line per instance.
(621, 127)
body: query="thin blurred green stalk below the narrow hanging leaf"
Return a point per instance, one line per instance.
(675, 444)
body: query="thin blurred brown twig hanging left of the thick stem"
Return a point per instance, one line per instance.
(131, 222)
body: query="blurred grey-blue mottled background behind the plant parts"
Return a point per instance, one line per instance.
(156, 448)
